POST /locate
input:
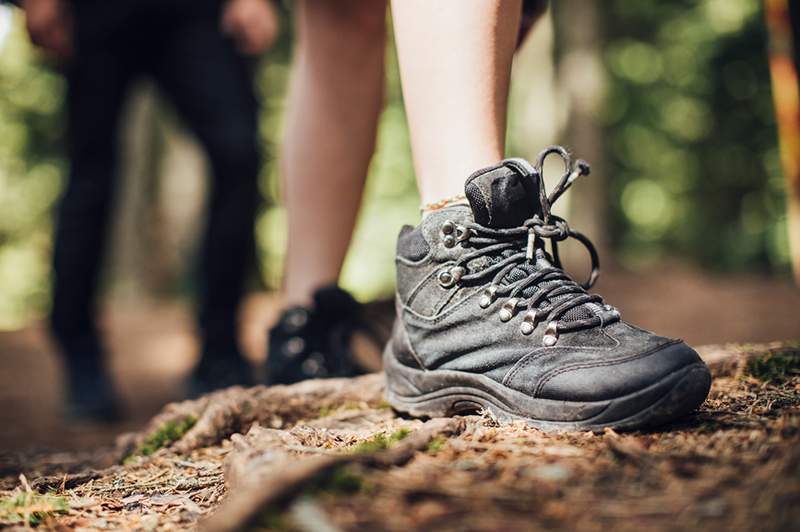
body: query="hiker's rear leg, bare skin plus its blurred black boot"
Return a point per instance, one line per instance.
(335, 97)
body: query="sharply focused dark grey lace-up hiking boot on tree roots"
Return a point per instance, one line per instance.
(487, 320)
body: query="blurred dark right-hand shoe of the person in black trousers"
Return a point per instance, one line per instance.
(219, 368)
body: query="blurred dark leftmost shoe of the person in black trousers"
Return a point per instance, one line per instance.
(90, 392)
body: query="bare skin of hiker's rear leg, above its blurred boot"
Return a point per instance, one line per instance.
(336, 95)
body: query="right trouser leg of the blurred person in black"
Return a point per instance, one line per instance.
(211, 84)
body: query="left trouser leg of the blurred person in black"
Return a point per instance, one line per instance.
(96, 84)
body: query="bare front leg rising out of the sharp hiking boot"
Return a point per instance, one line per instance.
(455, 64)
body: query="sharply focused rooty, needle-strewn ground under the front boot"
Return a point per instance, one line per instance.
(331, 455)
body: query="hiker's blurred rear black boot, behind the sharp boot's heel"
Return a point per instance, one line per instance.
(315, 342)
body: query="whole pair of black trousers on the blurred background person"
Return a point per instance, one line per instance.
(179, 44)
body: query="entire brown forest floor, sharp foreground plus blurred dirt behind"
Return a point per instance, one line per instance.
(330, 455)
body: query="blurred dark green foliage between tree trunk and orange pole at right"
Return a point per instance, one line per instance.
(692, 145)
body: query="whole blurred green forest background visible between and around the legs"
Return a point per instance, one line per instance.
(669, 101)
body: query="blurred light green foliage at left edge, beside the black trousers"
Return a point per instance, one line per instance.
(31, 174)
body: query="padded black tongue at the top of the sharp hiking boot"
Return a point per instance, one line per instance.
(504, 195)
